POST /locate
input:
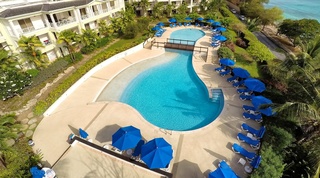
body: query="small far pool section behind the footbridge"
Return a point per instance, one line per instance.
(187, 34)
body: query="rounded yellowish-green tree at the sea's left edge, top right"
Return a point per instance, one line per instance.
(269, 16)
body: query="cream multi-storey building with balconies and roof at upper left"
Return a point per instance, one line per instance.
(45, 19)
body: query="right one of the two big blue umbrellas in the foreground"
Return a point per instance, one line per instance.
(156, 153)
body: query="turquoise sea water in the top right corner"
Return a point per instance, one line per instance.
(297, 9)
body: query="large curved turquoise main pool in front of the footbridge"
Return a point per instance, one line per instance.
(171, 96)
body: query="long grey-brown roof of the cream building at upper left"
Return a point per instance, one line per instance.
(11, 12)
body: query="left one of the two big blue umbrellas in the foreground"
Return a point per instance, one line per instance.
(126, 138)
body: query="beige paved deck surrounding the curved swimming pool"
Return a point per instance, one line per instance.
(196, 153)
